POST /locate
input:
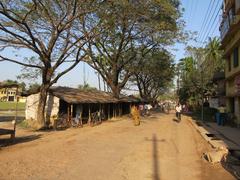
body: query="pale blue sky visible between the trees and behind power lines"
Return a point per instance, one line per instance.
(201, 16)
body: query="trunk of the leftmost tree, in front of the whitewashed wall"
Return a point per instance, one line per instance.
(41, 106)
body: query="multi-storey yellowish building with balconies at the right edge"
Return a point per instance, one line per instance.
(230, 38)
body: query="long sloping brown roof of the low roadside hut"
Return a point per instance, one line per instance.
(76, 96)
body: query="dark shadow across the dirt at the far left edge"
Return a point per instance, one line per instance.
(18, 140)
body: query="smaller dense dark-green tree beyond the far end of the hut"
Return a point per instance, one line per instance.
(154, 74)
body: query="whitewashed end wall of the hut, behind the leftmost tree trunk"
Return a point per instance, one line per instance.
(52, 106)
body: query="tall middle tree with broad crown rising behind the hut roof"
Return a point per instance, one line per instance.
(125, 27)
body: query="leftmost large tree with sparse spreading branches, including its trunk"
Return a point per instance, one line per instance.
(50, 30)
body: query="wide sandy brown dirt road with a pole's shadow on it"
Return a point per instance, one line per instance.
(159, 148)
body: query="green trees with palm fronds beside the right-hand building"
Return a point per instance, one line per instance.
(196, 71)
